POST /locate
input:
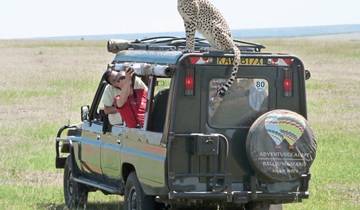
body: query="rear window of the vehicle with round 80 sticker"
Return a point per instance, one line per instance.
(245, 101)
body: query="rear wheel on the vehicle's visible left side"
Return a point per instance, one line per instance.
(135, 198)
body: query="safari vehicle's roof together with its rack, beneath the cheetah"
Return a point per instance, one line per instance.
(168, 50)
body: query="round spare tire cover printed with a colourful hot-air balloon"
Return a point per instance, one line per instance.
(280, 145)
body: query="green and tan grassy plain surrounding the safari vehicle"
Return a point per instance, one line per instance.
(44, 83)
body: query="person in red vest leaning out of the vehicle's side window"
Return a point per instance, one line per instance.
(129, 98)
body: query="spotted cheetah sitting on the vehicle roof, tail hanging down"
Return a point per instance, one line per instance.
(201, 15)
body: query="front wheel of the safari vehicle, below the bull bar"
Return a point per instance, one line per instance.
(75, 194)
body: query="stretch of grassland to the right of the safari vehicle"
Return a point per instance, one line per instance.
(334, 111)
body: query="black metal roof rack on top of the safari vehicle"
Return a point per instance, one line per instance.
(172, 43)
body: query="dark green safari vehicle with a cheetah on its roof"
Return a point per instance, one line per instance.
(250, 149)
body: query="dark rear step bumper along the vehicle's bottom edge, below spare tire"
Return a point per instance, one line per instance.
(240, 196)
